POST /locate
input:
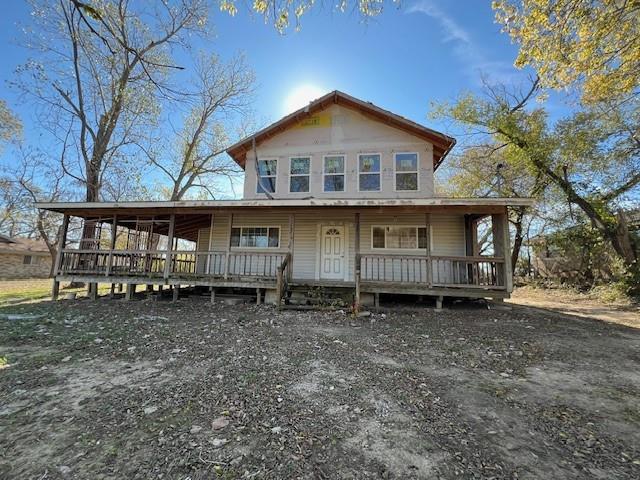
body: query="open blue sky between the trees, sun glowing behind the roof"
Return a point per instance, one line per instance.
(429, 50)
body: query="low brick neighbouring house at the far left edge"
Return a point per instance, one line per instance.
(23, 258)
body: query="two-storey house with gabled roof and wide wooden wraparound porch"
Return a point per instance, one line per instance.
(339, 194)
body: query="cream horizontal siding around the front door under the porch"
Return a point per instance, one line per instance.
(447, 235)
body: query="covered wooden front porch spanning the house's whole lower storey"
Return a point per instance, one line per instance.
(271, 246)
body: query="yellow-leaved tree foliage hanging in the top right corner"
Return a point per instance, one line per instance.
(593, 45)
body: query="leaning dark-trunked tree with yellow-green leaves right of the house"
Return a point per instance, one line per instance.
(593, 156)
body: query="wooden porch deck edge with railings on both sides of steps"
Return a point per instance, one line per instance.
(412, 275)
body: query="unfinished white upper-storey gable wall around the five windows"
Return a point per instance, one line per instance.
(349, 133)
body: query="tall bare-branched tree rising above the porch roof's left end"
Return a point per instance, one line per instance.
(100, 70)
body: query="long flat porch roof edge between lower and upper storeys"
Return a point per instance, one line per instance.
(460, 205)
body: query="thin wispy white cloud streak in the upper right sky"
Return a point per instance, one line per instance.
(473, 59)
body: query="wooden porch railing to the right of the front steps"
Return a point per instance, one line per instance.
(438, 271)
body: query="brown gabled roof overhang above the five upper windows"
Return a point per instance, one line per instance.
(442, 143)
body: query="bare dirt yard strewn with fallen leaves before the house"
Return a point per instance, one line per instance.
(152, 389)
